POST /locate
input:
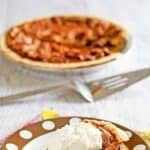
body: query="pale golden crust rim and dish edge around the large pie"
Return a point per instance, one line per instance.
(63, 66)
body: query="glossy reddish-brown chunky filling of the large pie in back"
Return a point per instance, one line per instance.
(65, 39)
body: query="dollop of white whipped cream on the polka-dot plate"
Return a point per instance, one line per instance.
(79, 136)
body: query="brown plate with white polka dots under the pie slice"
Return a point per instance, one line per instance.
(36, 136)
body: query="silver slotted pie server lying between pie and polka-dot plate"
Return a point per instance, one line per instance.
(90, 91)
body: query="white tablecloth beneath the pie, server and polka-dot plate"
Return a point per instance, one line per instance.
(130, 107)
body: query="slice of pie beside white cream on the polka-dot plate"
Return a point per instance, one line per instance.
(113, 137)
